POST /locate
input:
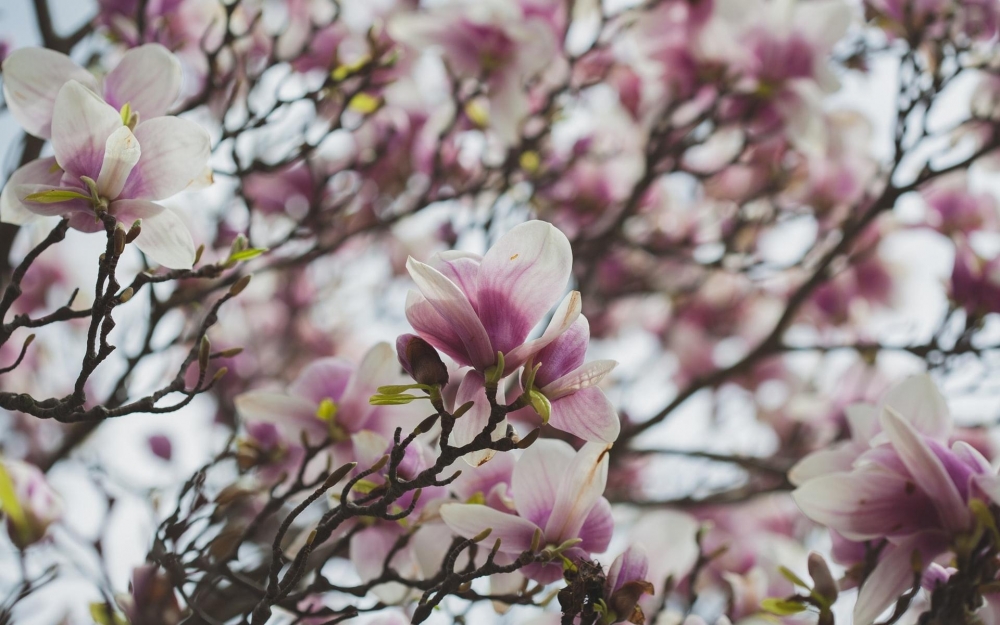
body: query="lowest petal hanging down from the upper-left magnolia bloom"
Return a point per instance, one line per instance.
(164, 236)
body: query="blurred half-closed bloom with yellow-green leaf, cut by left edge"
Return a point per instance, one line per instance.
(28, 502)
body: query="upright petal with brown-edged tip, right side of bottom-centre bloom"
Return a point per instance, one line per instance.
(581, 487)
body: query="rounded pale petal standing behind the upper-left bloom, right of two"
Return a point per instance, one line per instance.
(148, 78)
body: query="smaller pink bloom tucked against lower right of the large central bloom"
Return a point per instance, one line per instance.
(575, 403)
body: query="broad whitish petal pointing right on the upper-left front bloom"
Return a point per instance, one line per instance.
(174, 154)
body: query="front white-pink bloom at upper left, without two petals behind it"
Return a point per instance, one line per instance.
(105, 163)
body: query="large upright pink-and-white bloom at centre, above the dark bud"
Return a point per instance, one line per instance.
(473, 307)
